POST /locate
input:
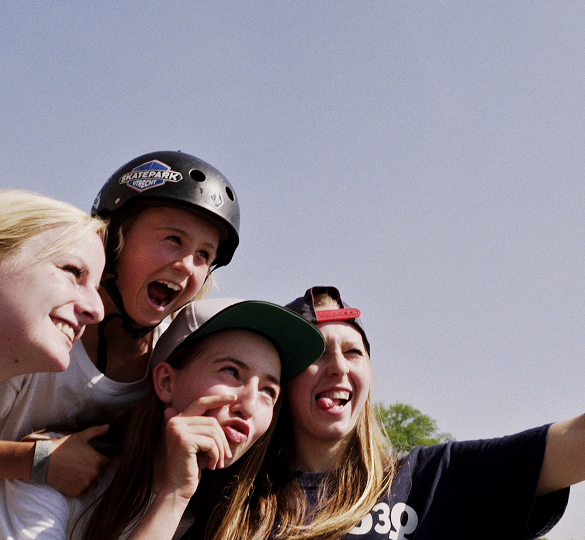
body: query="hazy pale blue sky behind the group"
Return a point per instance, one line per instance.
(424, 157)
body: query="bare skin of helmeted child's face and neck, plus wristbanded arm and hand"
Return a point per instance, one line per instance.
(167, 255)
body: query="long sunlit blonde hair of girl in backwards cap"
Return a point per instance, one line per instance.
(275, 506)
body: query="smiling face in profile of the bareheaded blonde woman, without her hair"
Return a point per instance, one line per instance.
(47, 303)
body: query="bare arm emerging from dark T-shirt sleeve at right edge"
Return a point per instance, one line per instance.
(564, 456)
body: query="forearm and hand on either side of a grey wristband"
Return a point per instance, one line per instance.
(73, 467)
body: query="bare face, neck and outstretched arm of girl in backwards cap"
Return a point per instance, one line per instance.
(323, 423)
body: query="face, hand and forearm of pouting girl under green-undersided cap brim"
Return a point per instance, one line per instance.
(217, 408)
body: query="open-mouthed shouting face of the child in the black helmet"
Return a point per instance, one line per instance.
(165, 260)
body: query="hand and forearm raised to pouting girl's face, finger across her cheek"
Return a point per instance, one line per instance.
(193, 442)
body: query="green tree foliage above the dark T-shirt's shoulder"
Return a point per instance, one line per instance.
(408, 427)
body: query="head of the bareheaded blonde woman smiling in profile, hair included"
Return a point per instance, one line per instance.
(51, 262)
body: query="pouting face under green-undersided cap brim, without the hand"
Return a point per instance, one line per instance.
(233, 362)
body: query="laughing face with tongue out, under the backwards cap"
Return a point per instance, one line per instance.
(327, 398)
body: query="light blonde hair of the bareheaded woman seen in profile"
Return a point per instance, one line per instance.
(25, 214)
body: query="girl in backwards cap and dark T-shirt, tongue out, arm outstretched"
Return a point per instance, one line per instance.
(331, 475)
